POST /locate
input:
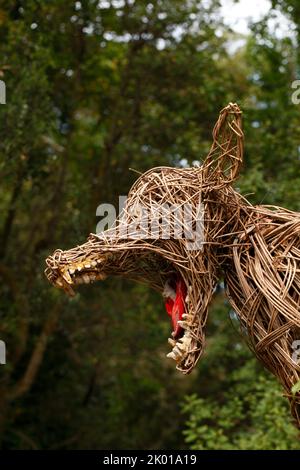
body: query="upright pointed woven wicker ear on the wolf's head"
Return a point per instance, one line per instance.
(223, 163)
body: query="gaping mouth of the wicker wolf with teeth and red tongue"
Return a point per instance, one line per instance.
(69, 269)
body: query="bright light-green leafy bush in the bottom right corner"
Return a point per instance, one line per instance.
(253, 418)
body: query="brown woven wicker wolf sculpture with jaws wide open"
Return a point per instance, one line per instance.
(256, 249)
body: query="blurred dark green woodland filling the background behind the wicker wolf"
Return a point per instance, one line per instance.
(95, 88)
